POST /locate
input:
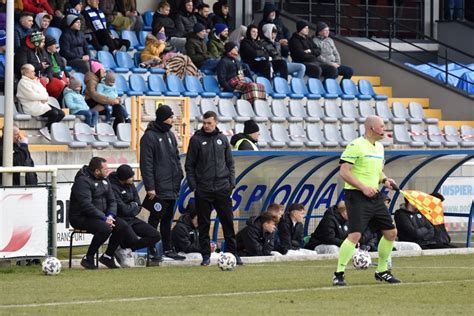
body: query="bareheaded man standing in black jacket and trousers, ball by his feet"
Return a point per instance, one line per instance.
(211, 175)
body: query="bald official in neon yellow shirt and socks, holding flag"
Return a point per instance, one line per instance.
(362, 170)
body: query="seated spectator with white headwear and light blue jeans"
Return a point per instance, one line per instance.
(274, 50)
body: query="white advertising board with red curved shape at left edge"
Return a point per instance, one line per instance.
(23, 222)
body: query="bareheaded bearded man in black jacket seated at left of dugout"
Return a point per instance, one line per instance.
(93, 208)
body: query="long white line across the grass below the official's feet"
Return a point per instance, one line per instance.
(149, 298)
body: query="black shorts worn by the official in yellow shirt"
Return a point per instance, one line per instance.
(364, 212)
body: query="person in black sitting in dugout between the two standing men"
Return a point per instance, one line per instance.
(185, 233)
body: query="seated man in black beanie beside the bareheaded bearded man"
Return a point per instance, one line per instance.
(128, 207)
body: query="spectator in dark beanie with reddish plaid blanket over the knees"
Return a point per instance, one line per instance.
(231, 76)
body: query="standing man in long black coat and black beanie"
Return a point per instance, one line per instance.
(162, 174)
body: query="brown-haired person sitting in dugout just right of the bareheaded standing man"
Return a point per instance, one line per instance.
(258, 237)
